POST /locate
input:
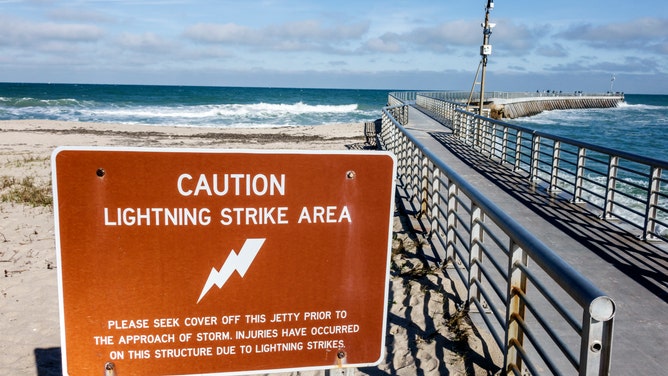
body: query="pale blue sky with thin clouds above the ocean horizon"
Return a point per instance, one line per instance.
(392, 44)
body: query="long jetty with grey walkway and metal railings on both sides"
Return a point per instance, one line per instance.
(556, 247)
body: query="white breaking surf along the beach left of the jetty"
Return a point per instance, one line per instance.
(253, 114)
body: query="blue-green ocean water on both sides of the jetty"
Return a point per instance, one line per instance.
(639, 126)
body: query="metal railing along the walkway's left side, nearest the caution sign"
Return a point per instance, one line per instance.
(543, 315)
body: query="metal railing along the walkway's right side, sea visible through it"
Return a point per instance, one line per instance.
(614, 184)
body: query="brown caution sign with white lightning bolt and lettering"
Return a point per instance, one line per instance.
(178, 262)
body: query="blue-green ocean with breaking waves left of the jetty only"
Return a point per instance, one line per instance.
(189, 106)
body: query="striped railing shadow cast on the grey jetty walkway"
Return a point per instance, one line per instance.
(642, 261)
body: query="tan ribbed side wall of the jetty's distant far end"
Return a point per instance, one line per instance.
(519, 107)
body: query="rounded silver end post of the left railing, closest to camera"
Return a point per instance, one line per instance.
(596, 345)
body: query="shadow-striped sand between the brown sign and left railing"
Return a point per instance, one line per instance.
(425, 334)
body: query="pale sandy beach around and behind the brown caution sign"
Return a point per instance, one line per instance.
(422, 337)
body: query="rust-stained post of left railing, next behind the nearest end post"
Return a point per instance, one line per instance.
(515, 307)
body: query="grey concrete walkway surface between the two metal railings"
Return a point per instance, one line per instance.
(633, 272)
